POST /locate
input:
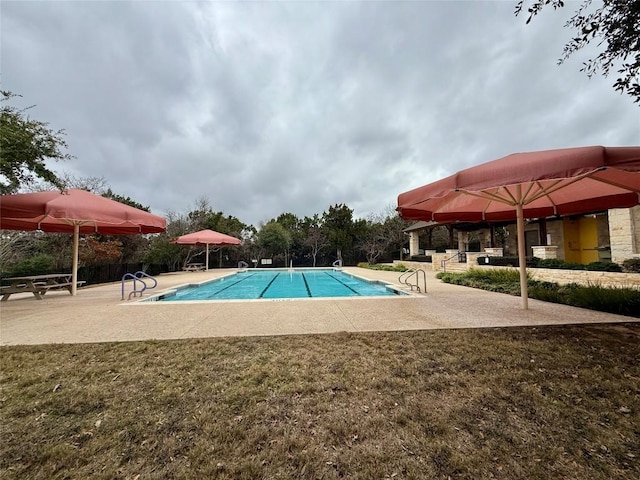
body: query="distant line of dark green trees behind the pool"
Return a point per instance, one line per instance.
(317, 240)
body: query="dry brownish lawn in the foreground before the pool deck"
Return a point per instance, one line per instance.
(535, 403)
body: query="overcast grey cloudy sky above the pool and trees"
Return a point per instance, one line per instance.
(273, 107)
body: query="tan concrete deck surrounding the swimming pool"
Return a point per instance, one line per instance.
(97, 314)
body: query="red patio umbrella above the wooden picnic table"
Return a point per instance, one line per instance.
(75, 211)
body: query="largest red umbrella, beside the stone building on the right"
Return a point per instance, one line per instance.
(542, 184)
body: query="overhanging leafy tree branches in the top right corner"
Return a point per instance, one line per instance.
(616, 24)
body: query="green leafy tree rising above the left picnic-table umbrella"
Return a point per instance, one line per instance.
(25, 146)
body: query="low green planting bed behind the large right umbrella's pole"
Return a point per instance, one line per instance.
(619, 300)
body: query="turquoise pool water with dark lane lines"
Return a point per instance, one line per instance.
(272, 284)
